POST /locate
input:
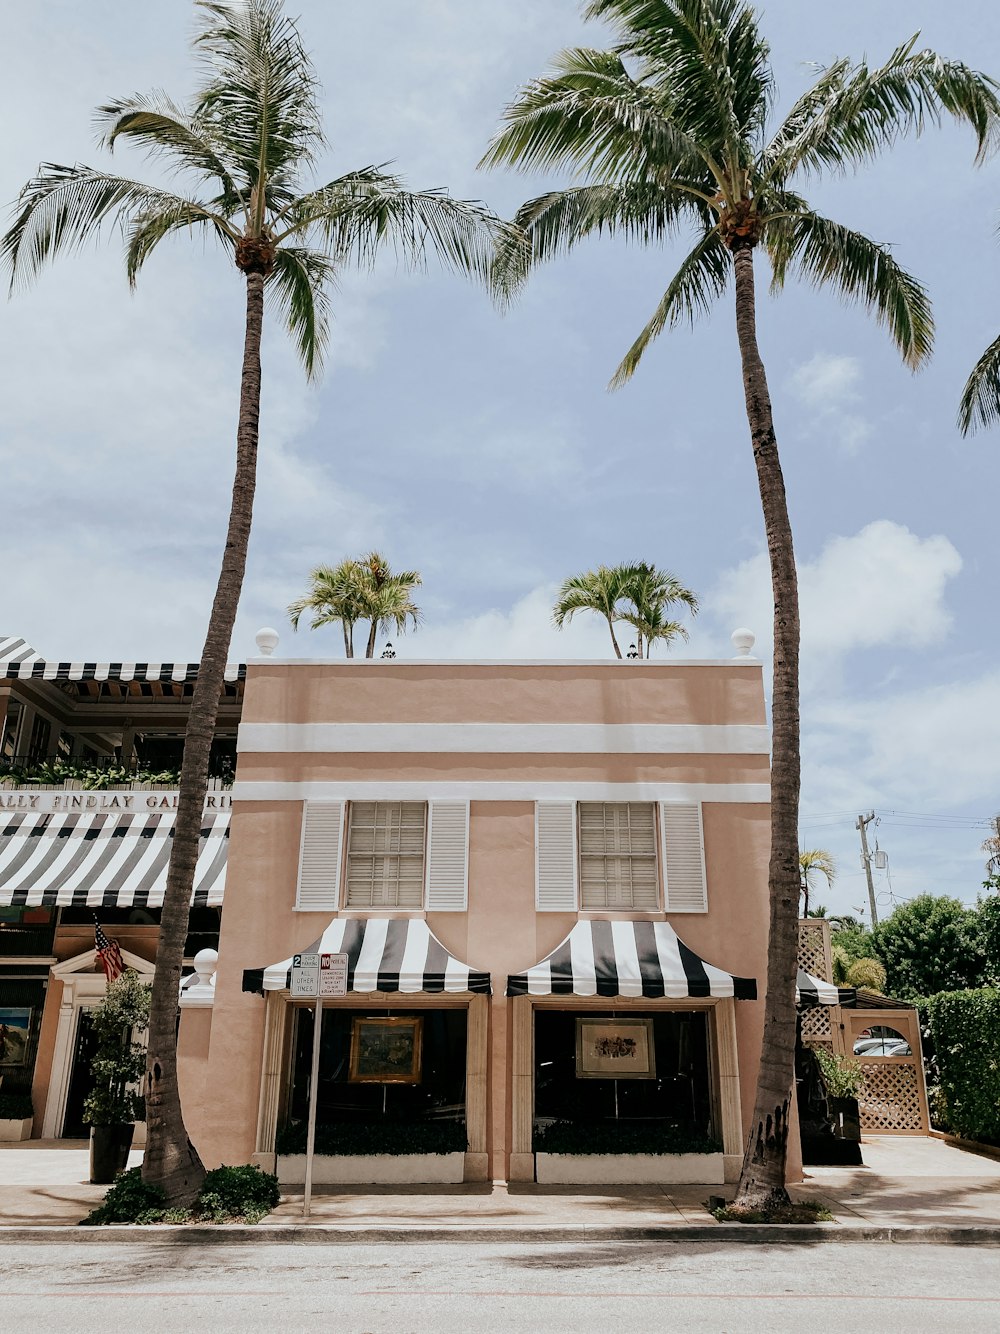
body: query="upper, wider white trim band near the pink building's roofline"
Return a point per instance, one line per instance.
(505, 738)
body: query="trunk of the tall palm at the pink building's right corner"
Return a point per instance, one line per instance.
(762, 1179)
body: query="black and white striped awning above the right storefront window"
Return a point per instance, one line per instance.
(627, 960)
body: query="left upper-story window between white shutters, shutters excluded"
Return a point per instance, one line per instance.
(386, 854)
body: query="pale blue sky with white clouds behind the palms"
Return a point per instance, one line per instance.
(486, 450)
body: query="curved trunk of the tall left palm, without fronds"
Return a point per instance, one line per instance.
(171, 1161)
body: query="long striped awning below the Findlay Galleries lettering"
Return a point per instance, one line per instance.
(109, 861)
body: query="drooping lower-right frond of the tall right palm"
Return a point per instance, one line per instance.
(862, 270)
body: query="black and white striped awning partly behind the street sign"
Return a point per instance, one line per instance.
(398, 954)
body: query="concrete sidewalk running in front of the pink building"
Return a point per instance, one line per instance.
(906, 1184)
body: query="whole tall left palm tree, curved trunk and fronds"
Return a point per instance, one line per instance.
(246, 143)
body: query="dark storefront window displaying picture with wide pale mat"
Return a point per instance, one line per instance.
(666, 1079)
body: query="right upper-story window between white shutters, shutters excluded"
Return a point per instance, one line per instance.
(618, 856)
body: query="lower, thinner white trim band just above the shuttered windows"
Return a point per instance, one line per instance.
(493, 792)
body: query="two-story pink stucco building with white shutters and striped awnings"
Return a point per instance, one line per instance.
(551, 884)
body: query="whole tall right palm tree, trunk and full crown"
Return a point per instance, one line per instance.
(673, 127)
